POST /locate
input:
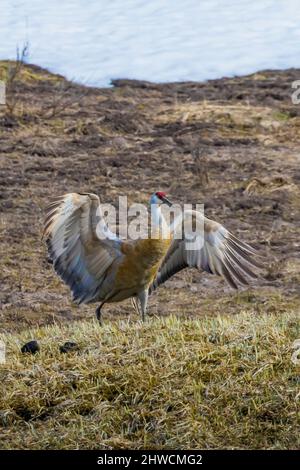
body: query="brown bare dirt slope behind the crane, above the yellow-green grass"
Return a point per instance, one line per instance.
(232, 144)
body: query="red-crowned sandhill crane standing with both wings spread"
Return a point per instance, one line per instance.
(108, 269)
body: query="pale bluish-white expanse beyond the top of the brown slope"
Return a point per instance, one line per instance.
(92, 41)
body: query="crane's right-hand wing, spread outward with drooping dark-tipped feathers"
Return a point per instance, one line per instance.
(213, 249)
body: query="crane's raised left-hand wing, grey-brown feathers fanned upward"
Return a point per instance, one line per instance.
(80, 244)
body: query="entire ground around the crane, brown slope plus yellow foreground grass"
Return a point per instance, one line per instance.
(215, 370)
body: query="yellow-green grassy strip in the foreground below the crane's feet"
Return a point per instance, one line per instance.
(210, 383)
